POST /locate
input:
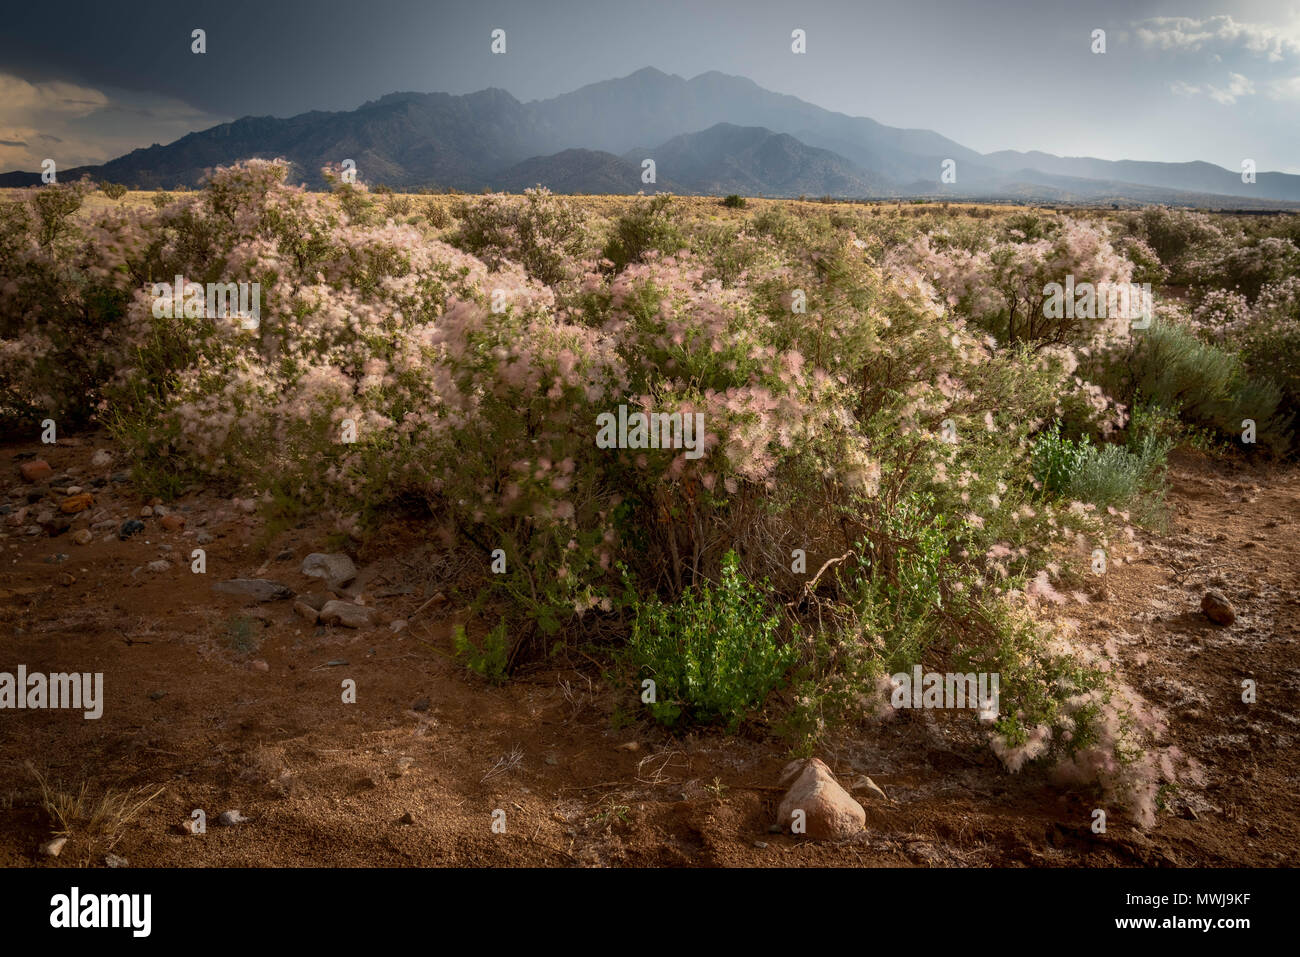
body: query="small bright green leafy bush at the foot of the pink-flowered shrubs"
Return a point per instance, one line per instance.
(714, 656)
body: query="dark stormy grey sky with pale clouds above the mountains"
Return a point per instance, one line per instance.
(1181, 80)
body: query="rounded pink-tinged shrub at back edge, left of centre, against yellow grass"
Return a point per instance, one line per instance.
(543, 232)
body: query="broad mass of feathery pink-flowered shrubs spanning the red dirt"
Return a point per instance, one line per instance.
(874, 391)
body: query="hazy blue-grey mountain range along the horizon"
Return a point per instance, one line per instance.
(713, 135)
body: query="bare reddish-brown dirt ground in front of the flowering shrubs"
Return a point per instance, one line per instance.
(413, 772)
